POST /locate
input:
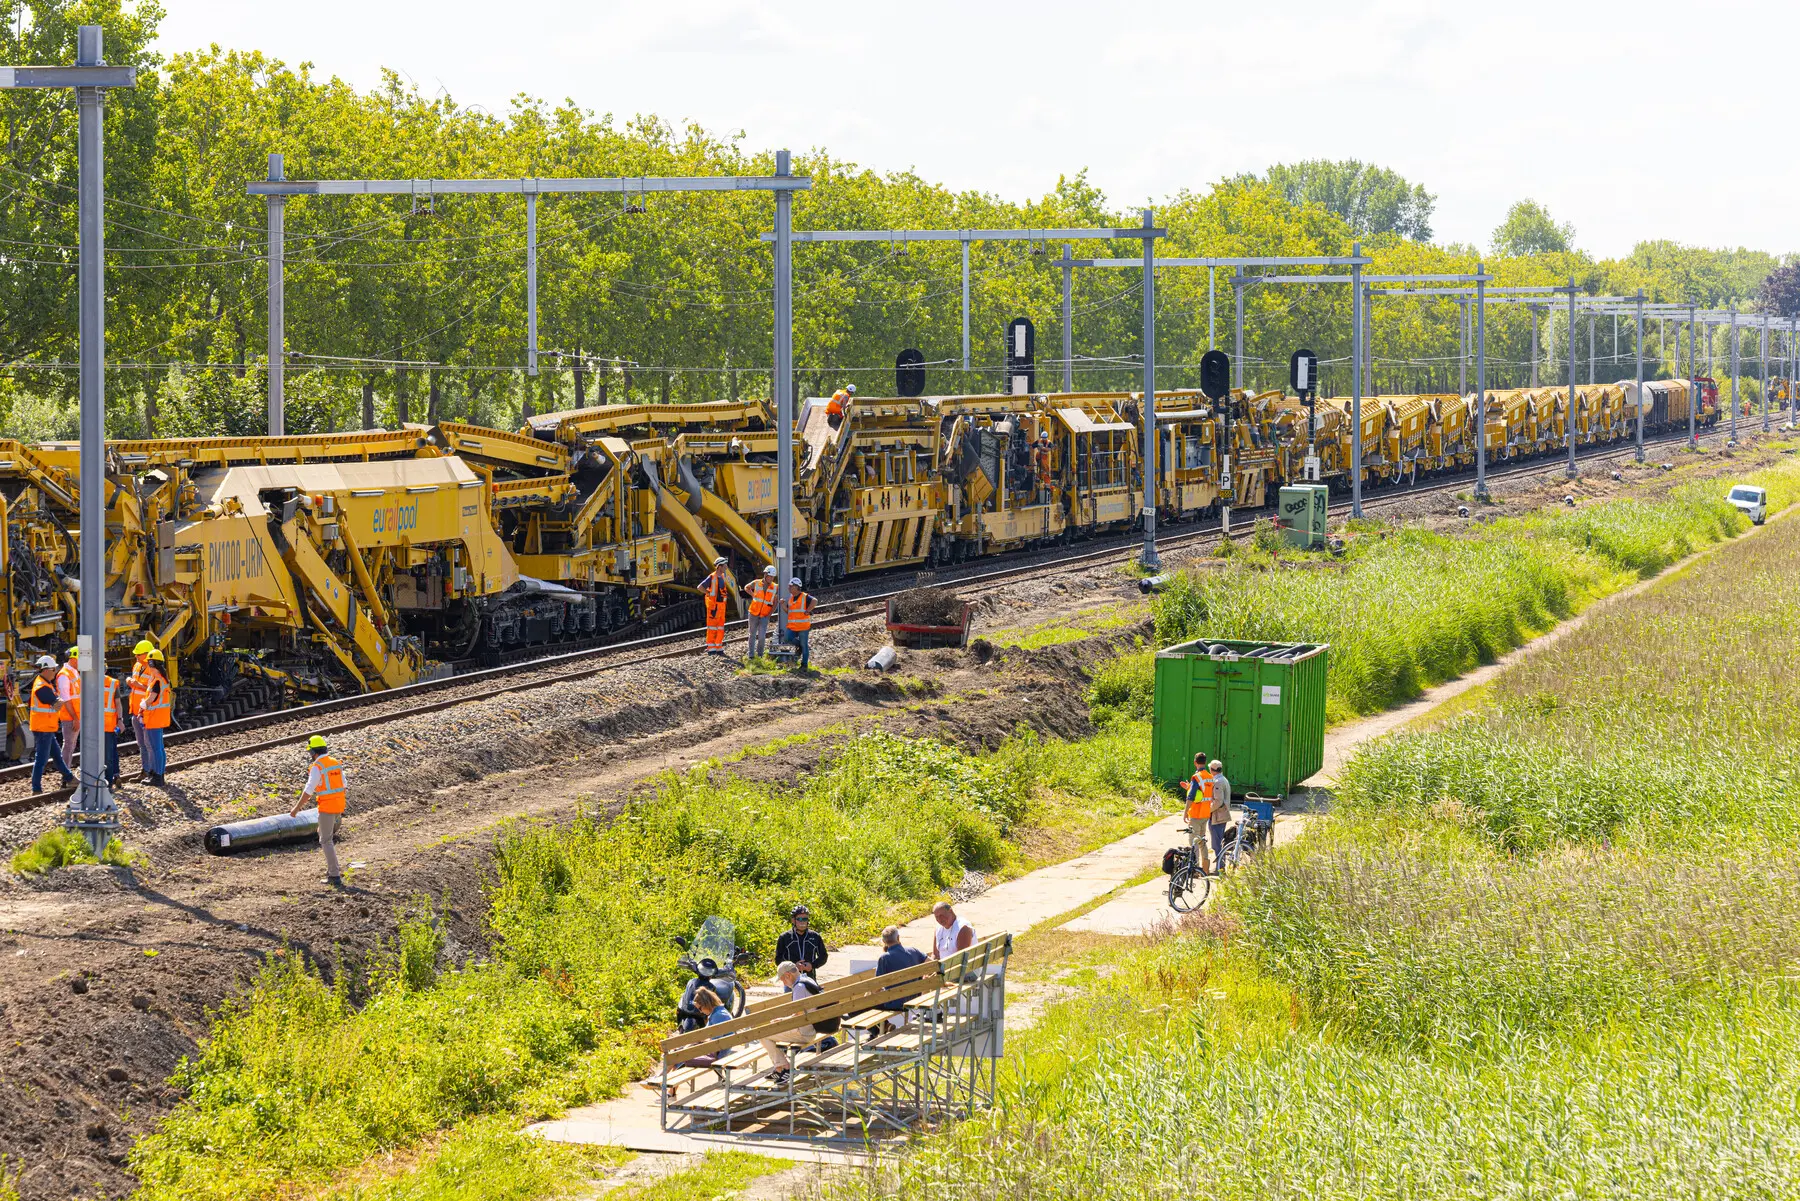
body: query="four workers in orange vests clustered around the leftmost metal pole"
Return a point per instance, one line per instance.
(55, 723)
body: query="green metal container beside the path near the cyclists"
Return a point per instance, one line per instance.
(1259, 709)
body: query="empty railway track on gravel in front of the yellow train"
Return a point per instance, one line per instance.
(262, 732)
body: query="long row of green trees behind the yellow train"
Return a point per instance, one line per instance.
(415, 307)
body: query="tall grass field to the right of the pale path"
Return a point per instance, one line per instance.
(1542, 952)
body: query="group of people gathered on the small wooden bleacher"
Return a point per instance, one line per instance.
(800, 953)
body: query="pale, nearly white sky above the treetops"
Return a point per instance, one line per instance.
(1626, 120)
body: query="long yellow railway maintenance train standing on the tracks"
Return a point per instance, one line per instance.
(285, 570)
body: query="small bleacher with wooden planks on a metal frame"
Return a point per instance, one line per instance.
(940, 1065)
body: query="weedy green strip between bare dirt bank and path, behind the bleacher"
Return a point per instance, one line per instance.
(415, 1083)
